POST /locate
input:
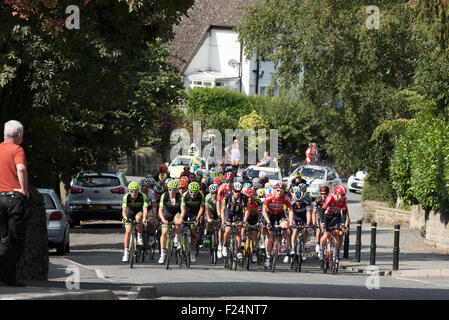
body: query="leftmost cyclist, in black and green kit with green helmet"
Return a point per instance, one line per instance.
(134, 203)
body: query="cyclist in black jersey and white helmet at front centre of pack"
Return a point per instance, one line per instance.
(234, 205)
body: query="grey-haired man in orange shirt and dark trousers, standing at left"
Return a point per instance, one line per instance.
(14, 192)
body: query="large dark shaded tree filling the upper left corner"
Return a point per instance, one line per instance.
(85, 94)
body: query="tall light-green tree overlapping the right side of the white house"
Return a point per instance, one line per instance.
(349, 74)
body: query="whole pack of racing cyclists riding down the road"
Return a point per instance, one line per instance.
(162, 202)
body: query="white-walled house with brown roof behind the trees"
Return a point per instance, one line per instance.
(210, 54)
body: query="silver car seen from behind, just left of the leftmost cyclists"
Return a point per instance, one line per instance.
(96, 196)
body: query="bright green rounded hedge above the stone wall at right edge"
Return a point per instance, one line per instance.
(420, 164)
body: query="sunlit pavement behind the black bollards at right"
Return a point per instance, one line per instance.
(416, 258)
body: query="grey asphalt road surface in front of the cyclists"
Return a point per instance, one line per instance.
(98, 247)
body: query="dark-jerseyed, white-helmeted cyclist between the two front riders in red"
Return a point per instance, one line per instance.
(301, 215)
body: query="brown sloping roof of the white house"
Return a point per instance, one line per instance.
(200, 17)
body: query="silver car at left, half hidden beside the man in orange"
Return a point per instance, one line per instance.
(58, 228)
